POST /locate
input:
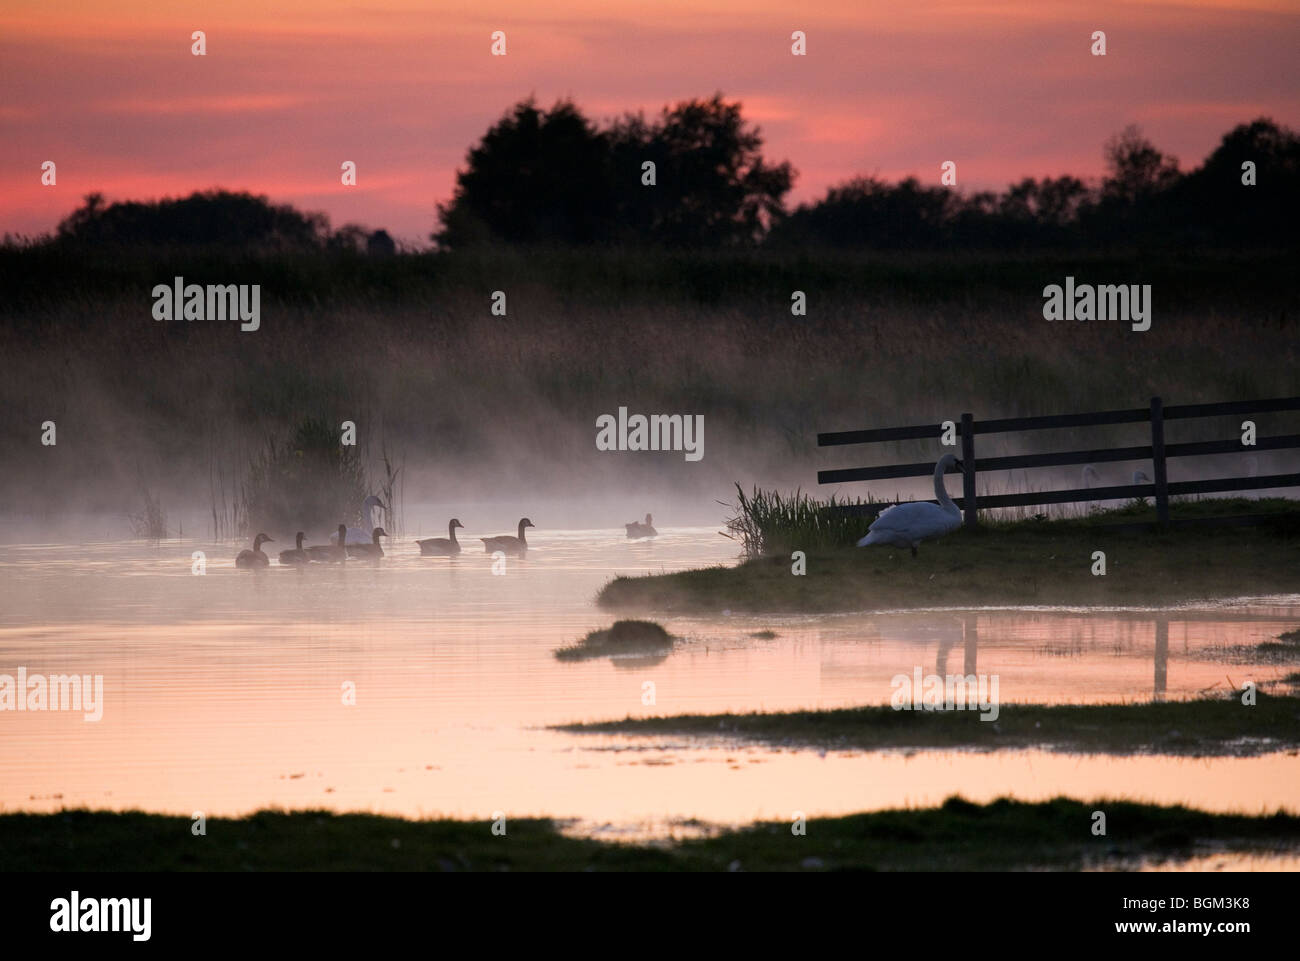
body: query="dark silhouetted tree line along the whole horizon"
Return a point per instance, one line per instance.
(695, 176)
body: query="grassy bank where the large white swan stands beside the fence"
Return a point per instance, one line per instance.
(1021, 564)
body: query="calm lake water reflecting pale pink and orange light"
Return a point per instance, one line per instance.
(224, 692)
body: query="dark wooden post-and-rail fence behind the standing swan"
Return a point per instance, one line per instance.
(1158, 452)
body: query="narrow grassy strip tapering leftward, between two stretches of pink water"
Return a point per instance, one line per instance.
(1190, 729)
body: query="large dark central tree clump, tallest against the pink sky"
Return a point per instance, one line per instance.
(553, 178)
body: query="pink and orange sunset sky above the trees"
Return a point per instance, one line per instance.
(291, 90)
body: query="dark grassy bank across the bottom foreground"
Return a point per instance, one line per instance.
(1003, 836)
